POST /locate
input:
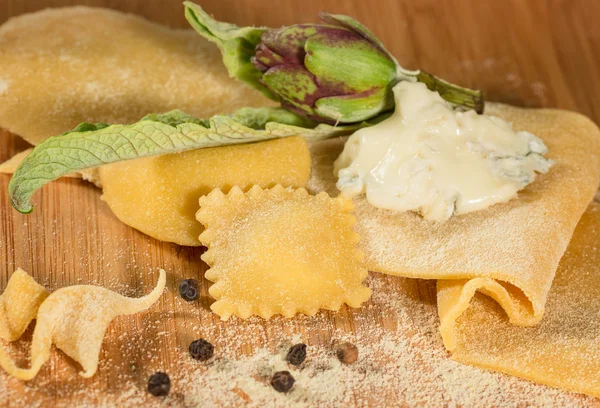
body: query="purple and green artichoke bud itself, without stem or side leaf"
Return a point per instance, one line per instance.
(326, 72)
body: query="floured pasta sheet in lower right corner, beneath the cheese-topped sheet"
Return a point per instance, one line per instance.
(564, 349)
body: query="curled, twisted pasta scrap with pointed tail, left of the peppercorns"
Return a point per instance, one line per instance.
(75, 320)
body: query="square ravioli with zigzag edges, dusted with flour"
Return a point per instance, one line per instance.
(280, 251)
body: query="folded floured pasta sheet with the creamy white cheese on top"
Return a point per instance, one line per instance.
(510, 251)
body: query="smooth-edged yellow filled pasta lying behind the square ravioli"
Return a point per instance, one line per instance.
(159, 195)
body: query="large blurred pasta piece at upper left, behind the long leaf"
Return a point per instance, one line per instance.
(60, 67)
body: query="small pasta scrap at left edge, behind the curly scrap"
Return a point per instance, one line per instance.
(19, 304)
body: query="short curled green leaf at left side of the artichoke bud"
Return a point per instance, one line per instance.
(237, 45)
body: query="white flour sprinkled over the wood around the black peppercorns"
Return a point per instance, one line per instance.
(402, 362)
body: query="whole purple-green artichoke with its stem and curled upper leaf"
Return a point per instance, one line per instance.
(334, 72)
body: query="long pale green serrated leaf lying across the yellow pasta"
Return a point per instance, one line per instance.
(92, 145)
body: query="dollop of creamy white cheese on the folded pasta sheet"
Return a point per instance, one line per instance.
(433, 160)
